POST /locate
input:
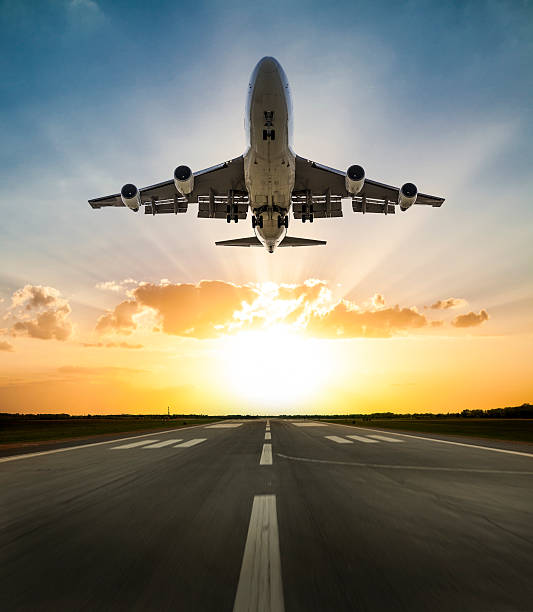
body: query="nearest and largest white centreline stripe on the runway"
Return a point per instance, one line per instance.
(260, 585)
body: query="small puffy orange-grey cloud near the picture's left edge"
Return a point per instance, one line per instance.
(40, 312)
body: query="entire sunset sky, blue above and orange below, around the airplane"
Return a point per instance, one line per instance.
(108, 311)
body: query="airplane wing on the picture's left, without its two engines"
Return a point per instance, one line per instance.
(212, 188)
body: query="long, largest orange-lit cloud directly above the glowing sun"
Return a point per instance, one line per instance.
(214, 308)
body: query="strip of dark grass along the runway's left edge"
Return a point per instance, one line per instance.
(21, 430)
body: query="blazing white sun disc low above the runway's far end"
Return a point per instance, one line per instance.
(275, 367)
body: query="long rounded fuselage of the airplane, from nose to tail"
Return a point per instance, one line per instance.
(269, 160)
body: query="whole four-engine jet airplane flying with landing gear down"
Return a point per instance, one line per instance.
(269, 178)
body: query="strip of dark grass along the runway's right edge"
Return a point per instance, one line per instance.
(518, 430)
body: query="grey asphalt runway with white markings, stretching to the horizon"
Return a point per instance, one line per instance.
(281, 516)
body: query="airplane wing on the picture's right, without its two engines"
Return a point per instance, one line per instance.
(326, 187)
